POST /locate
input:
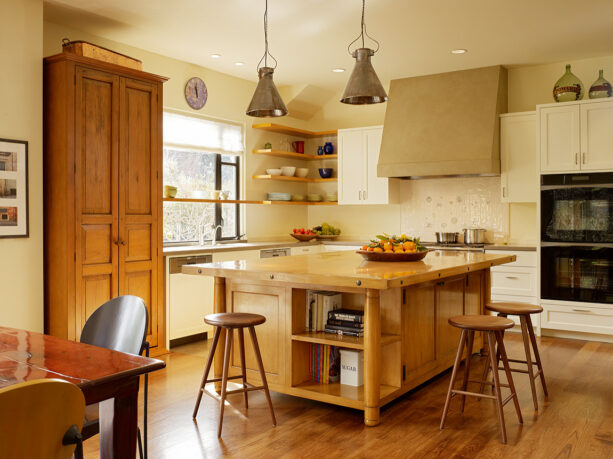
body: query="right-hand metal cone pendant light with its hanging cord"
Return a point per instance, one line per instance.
(363, 86)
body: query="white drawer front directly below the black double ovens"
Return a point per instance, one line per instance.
(578, 318)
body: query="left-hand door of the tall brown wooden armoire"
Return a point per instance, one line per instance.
(96, 199)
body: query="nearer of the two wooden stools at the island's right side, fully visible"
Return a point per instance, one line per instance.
(493, 328)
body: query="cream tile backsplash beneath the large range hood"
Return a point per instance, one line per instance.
(451, 204)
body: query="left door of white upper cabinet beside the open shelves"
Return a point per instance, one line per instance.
(351, 166)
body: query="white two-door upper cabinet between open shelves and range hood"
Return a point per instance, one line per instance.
(358, 154)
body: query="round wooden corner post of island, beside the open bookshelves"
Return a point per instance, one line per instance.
(372, 357)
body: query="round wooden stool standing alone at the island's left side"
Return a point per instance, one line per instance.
(229, 322)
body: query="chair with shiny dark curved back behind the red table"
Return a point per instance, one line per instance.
(121, 325)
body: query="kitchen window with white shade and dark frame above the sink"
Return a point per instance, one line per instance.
(200, 156)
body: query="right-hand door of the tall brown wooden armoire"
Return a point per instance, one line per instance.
(138, 196)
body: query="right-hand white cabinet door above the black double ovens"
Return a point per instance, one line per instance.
(597, 136)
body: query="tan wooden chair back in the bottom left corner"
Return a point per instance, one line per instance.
(41, 419)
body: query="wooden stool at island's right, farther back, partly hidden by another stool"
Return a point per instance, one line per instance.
(523, 311)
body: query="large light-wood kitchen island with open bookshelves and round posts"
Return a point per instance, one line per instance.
(407, 339)
